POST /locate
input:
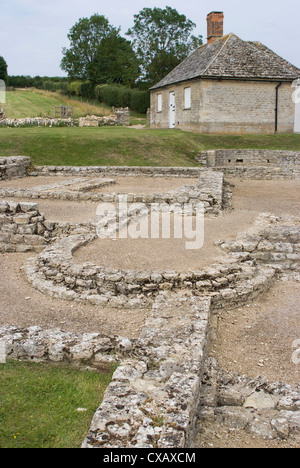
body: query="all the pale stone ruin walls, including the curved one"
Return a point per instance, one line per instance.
(163, 381)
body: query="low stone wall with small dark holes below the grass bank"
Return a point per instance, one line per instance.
(253, 164)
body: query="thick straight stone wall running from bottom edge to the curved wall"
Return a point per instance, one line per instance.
(153, 399)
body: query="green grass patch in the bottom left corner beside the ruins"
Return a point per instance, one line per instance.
(38, 404)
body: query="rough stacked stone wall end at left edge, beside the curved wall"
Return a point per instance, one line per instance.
(22, 227)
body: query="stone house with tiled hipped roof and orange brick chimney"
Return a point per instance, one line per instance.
(227, 86)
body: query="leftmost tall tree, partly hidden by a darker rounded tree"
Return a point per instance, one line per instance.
(85, 37)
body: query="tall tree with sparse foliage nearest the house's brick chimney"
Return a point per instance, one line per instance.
(162, 38)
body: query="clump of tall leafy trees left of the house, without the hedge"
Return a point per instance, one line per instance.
(160, 40)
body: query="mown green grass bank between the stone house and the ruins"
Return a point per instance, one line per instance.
(126, 146)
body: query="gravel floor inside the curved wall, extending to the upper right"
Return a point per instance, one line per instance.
(249, 199)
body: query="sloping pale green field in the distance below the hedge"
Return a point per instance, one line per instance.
(38, 103)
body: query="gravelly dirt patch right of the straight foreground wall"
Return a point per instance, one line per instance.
(258, 338)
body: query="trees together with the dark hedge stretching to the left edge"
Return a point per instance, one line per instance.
(102, 64)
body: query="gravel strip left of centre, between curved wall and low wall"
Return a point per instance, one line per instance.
(22, 305)
